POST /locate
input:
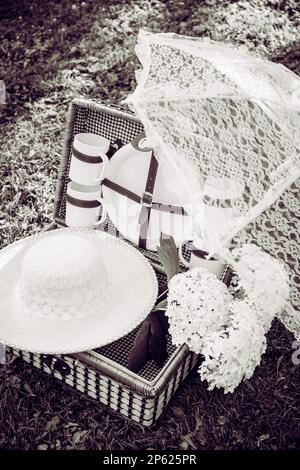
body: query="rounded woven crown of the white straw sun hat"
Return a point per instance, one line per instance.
(63, 276)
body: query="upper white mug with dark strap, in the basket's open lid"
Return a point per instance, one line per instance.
(89, 161)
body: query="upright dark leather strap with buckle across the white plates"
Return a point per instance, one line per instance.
(146, 201)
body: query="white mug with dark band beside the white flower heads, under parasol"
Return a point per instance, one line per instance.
(198, 258)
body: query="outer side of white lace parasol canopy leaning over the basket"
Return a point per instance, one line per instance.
(225, 127)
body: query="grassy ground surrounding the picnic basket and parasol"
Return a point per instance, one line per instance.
(53, 51)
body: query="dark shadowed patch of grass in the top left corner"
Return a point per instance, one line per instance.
(38, 38)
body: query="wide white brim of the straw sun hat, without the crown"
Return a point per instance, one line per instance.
(133, 287)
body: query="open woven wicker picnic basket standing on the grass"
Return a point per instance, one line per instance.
(103, 374)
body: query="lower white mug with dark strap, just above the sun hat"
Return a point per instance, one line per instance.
(83, 203)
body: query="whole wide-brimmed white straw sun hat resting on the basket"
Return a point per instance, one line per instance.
(72, 290)
